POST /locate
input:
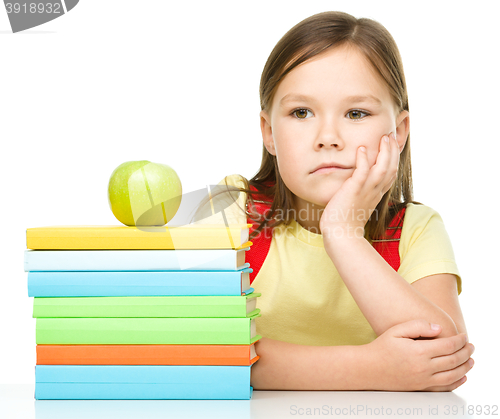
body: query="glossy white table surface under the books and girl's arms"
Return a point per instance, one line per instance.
(17, 401)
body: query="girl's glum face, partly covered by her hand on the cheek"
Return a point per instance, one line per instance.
(322, 112)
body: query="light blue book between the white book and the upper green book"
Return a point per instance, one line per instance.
(140, 283)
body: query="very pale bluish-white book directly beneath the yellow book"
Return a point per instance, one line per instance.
(135, 260)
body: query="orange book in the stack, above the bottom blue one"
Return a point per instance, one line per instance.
(146, 354)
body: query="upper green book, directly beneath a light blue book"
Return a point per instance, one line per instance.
(171, 306)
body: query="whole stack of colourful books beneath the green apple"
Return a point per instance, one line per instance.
(142, 313)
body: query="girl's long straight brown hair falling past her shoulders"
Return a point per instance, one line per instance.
(305, 40)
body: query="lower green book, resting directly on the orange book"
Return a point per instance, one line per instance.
(155, 331)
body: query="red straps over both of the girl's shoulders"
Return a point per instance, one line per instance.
(389, 250)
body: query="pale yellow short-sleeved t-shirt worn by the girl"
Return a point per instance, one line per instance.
(305, 301)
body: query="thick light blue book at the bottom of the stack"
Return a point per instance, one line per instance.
(142, 382)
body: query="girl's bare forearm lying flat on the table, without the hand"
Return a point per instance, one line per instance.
(288, 366)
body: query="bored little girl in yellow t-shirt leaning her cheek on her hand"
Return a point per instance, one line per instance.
(354, 274)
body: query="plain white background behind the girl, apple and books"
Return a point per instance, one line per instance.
(178, 83)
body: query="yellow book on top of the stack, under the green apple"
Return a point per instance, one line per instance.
(190, 236)
